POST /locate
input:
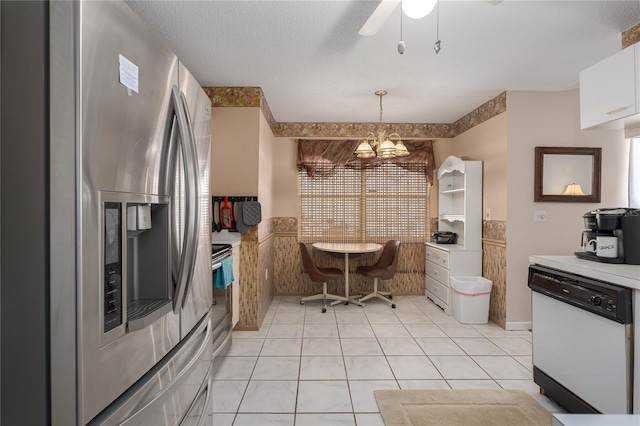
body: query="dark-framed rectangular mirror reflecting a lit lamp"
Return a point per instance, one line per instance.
(567, 174)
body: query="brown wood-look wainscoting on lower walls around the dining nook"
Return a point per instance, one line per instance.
(271, 266)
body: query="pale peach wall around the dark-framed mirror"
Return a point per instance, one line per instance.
(550, 119)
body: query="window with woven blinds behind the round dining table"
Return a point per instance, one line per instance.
(368, 204)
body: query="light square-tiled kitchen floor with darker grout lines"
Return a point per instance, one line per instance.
(304, 367)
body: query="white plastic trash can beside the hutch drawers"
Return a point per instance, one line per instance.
(471, 299)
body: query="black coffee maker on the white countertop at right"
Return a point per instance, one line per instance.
(622, 223)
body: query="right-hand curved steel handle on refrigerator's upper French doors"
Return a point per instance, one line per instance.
(194, 200)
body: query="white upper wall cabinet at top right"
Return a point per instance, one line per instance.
(610, 91)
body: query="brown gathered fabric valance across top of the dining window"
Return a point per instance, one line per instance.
(319, 157)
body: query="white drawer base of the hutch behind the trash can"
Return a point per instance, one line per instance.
(444, 261)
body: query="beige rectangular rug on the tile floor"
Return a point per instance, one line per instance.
(461, 407)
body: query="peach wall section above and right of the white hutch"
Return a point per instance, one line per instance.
(486, 142)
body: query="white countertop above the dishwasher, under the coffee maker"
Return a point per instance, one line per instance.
(624, 275)
